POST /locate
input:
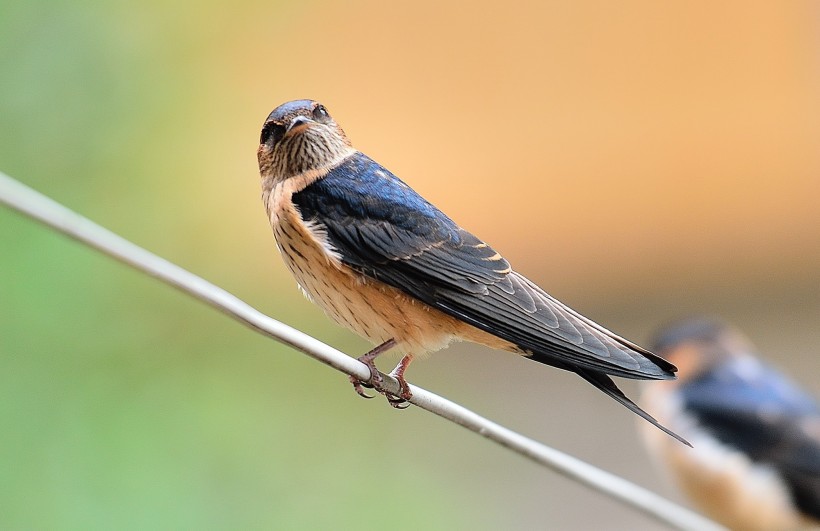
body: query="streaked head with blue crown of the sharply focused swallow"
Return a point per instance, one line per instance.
(300, 136)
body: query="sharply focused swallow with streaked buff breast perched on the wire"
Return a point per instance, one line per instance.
(381, 260)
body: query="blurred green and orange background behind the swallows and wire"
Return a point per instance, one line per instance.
(642, 161)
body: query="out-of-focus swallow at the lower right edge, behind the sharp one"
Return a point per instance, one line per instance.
(756, 458)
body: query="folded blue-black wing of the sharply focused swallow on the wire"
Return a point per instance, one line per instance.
(386, 231)
